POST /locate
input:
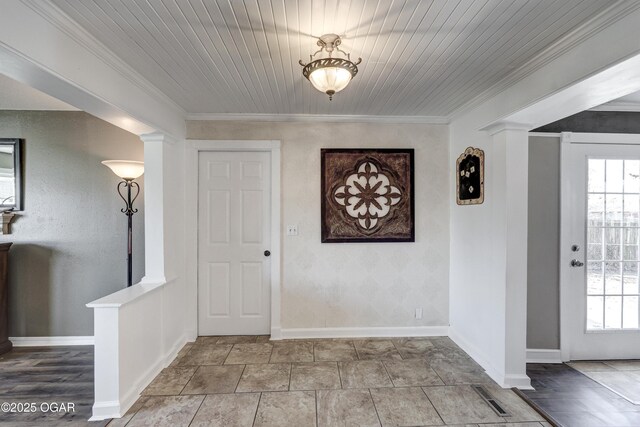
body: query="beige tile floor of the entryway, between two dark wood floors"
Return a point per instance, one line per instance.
(250, 381)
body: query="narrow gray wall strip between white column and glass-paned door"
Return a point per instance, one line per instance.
(543, 290)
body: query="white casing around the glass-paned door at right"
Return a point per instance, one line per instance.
(566, 206)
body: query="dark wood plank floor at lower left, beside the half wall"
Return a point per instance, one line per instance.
(47, 376)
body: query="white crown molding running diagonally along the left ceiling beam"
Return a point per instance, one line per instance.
(63, 22)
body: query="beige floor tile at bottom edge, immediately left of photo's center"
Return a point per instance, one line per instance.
(289, 408)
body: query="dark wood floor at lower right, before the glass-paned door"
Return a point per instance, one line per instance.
(573, 400)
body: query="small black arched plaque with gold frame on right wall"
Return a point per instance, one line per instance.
(470, 177)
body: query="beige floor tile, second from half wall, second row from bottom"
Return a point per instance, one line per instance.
(214, 379)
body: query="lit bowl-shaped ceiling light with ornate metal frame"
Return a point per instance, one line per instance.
(330, 75)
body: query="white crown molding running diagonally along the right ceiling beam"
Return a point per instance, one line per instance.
(574, 37)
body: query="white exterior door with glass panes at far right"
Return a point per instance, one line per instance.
(603, 257)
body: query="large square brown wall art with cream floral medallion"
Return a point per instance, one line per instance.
(367, 195)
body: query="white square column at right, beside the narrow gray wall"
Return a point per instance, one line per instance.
(509, 189)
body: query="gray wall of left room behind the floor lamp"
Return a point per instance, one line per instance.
(70, 240)
